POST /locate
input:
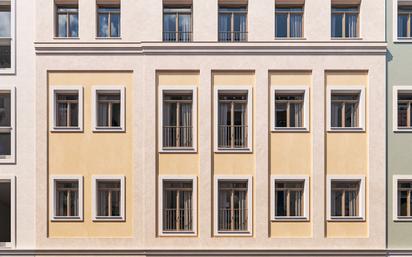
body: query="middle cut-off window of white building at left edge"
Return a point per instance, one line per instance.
(7, 126)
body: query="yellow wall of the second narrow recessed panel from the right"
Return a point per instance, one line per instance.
(291, 153)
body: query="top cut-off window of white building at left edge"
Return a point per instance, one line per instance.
(6, 36)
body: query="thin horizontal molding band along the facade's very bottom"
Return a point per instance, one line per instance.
(201, 253)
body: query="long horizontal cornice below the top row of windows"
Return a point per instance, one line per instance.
(213, 48)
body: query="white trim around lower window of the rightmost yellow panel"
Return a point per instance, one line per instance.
(362, 197)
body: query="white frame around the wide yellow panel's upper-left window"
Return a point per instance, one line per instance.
(54, 90)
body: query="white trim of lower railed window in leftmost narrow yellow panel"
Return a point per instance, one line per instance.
(193, 179)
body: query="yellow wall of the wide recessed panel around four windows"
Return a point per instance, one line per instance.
(91, 153)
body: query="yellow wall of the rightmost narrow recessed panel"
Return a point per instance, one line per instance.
(347, 154)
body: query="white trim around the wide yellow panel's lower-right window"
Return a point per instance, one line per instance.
(122, 216)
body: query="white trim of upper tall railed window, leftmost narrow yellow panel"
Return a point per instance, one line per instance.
(176, 88)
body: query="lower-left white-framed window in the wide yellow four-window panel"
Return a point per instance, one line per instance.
(67, 198)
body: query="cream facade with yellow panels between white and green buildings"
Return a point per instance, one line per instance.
(221, 127)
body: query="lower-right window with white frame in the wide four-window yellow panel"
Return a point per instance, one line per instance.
(108, 194)
